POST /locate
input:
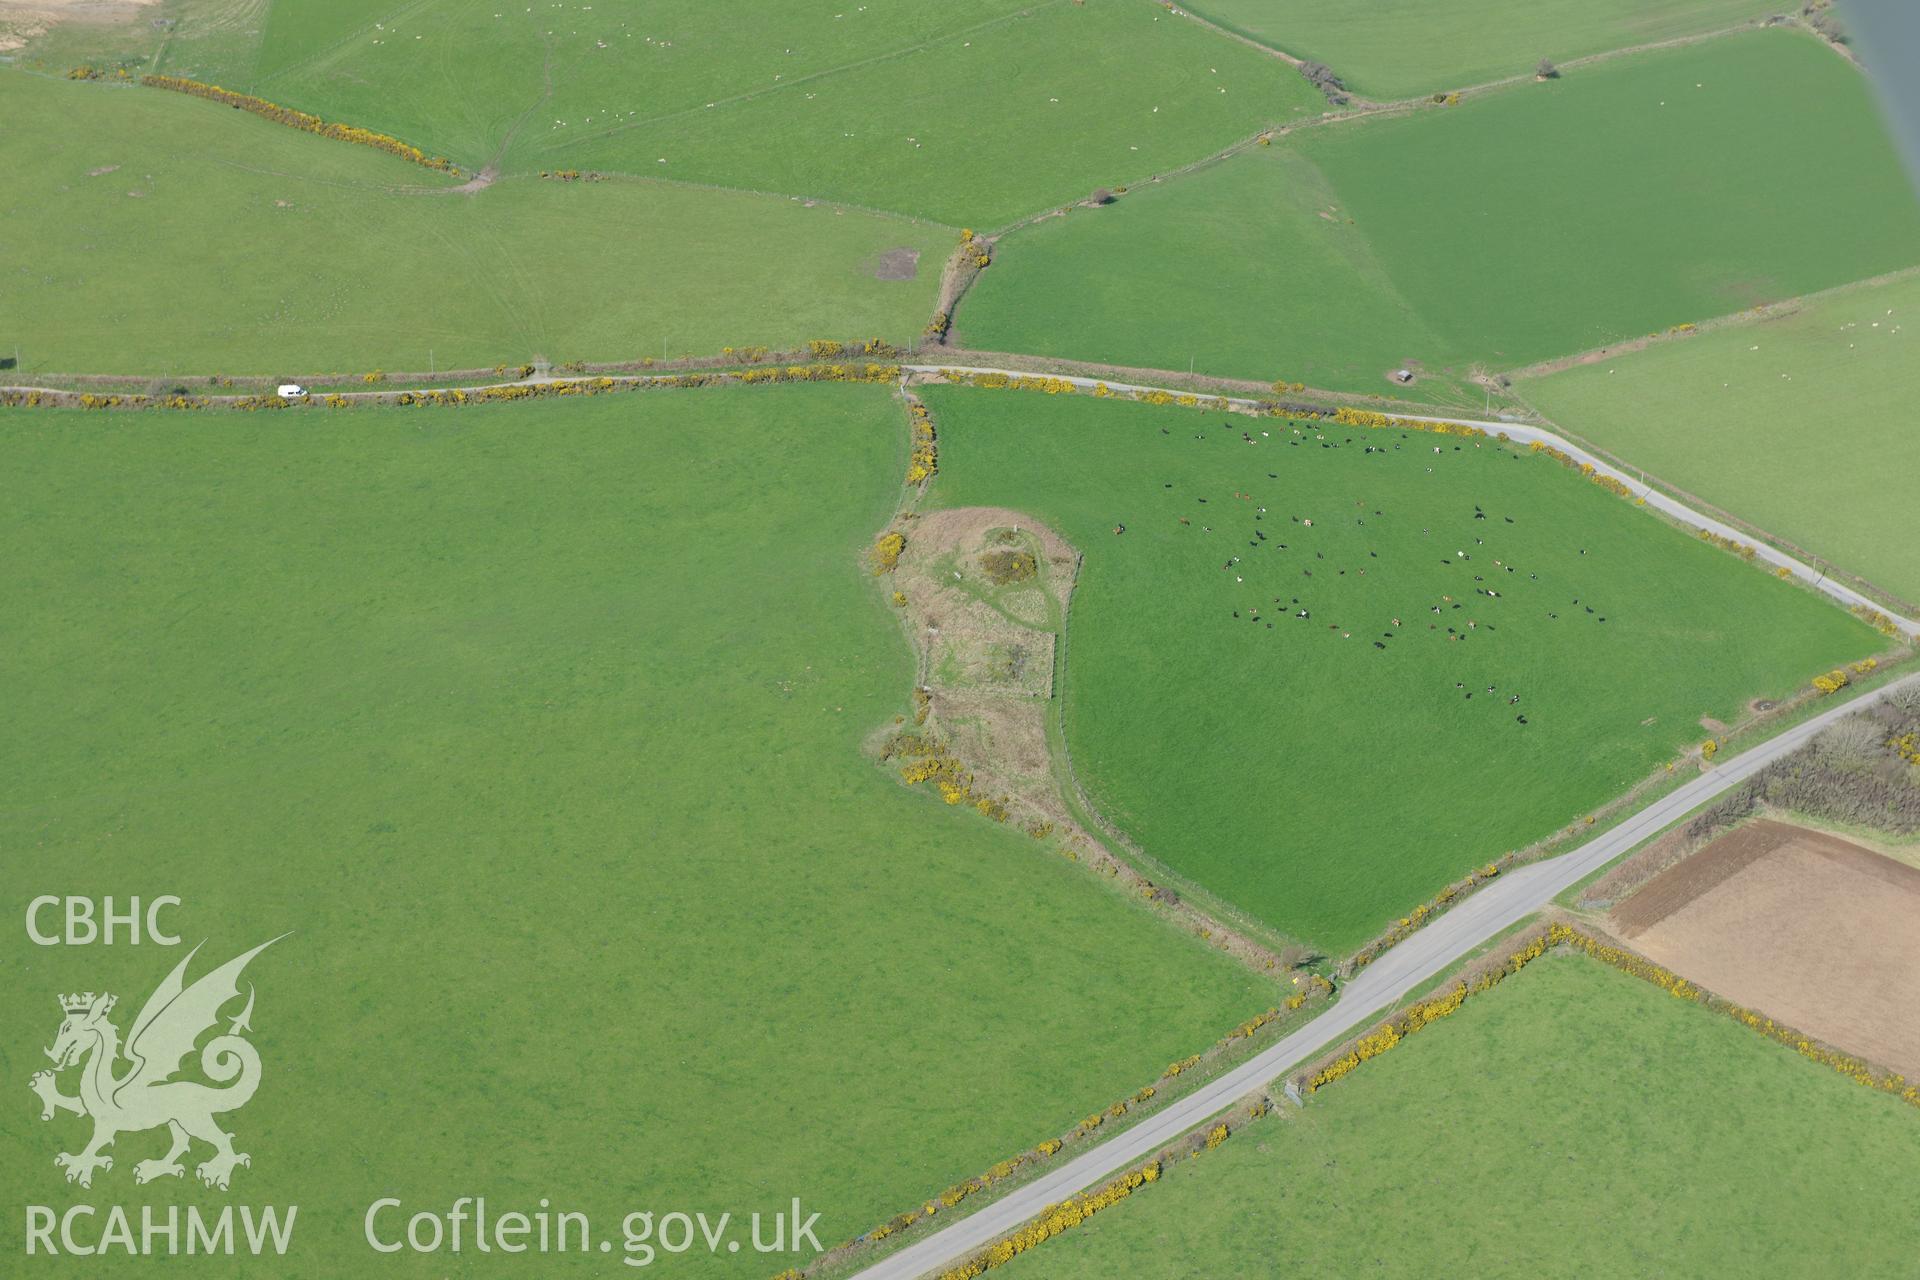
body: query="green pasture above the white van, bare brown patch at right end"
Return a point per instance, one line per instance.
(168, 235)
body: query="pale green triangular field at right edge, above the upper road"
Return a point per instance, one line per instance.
(1781, 421)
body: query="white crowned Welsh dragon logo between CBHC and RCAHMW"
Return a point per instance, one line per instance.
(147, 1095)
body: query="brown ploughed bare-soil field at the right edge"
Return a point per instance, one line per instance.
(1802, 926)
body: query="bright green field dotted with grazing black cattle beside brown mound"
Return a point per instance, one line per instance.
(1330, 772)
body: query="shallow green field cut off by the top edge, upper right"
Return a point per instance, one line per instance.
(1399, 49)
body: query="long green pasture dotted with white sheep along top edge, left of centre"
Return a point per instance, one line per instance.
(932, 110)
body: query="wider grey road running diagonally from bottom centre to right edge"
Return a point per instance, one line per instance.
(1431, 951)
